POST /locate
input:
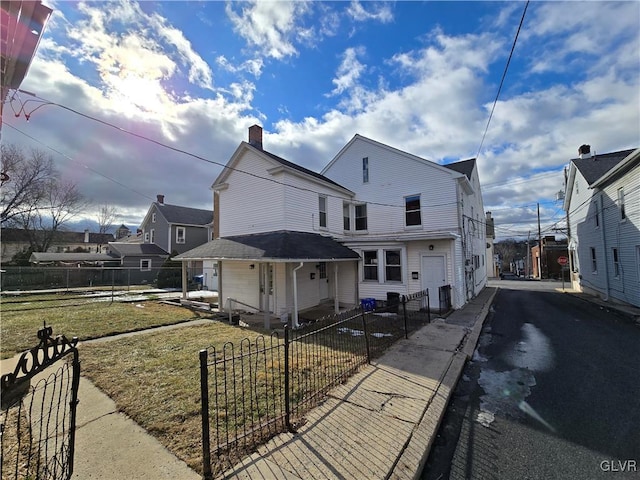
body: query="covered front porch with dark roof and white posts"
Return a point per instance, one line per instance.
(279, 274)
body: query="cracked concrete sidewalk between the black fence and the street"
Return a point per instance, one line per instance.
(382, 422)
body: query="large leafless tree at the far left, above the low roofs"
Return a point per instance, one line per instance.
(35, 199)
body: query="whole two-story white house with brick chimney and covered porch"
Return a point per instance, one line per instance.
(287, 238)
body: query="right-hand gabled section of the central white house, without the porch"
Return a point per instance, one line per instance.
(416, 224)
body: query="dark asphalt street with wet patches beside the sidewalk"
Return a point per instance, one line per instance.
(552, 391)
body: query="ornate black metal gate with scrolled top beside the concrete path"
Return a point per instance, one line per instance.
(38, 413)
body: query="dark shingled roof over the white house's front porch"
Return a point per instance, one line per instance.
(282, 245)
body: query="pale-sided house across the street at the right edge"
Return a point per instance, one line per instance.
(602, 198)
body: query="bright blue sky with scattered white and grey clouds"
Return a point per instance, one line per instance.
(418, 76)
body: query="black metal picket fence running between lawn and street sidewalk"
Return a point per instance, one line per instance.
(257, 389)
